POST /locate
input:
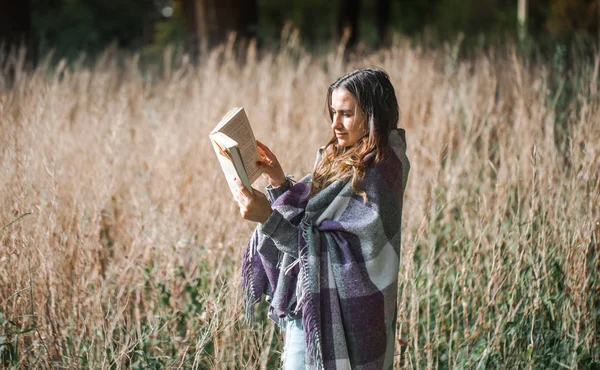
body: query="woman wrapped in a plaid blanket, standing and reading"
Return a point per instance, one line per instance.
(327, 249)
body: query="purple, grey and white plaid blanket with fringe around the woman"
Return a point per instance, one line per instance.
(334, 259)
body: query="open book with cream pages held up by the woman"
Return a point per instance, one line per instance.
(235, 146)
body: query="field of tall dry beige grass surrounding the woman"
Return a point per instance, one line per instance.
(126, 246)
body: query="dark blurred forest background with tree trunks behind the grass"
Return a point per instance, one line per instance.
(72, 27)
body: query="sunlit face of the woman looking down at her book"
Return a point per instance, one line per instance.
(348, 122)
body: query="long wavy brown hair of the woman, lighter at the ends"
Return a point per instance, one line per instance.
(376, 99)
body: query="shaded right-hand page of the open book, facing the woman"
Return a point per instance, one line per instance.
(238, 129)
